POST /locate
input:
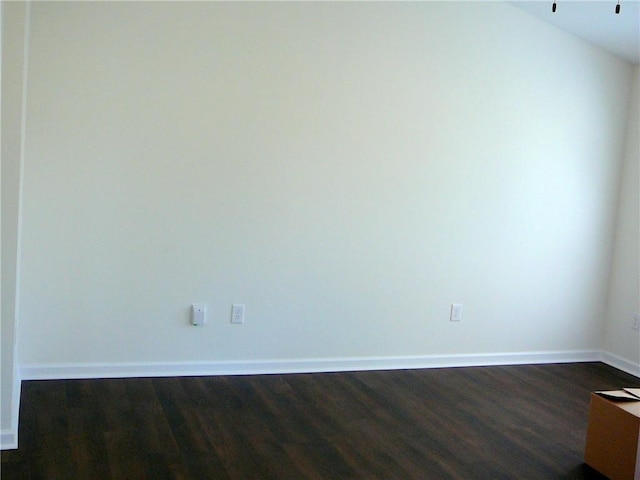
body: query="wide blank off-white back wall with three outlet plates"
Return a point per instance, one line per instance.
(347, 171)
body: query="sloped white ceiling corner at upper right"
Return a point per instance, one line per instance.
(594, 21)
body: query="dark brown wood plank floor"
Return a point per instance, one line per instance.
(513, 422)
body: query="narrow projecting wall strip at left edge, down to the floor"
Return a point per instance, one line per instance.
(13, 20)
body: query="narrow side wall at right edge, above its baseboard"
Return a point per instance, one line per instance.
(624, 297)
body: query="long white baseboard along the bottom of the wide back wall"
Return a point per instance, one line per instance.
(313, 365)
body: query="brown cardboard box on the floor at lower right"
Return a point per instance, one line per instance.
(613, 438)
